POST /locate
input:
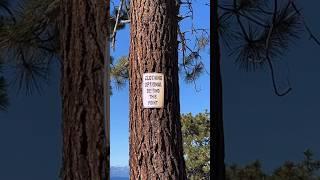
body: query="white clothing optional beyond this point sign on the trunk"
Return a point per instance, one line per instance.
(152, 90)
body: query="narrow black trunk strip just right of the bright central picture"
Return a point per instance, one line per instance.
(217, 147)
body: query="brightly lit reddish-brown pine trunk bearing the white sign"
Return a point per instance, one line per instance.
(155, 134)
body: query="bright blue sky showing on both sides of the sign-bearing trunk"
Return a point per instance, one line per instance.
(191, 101)
